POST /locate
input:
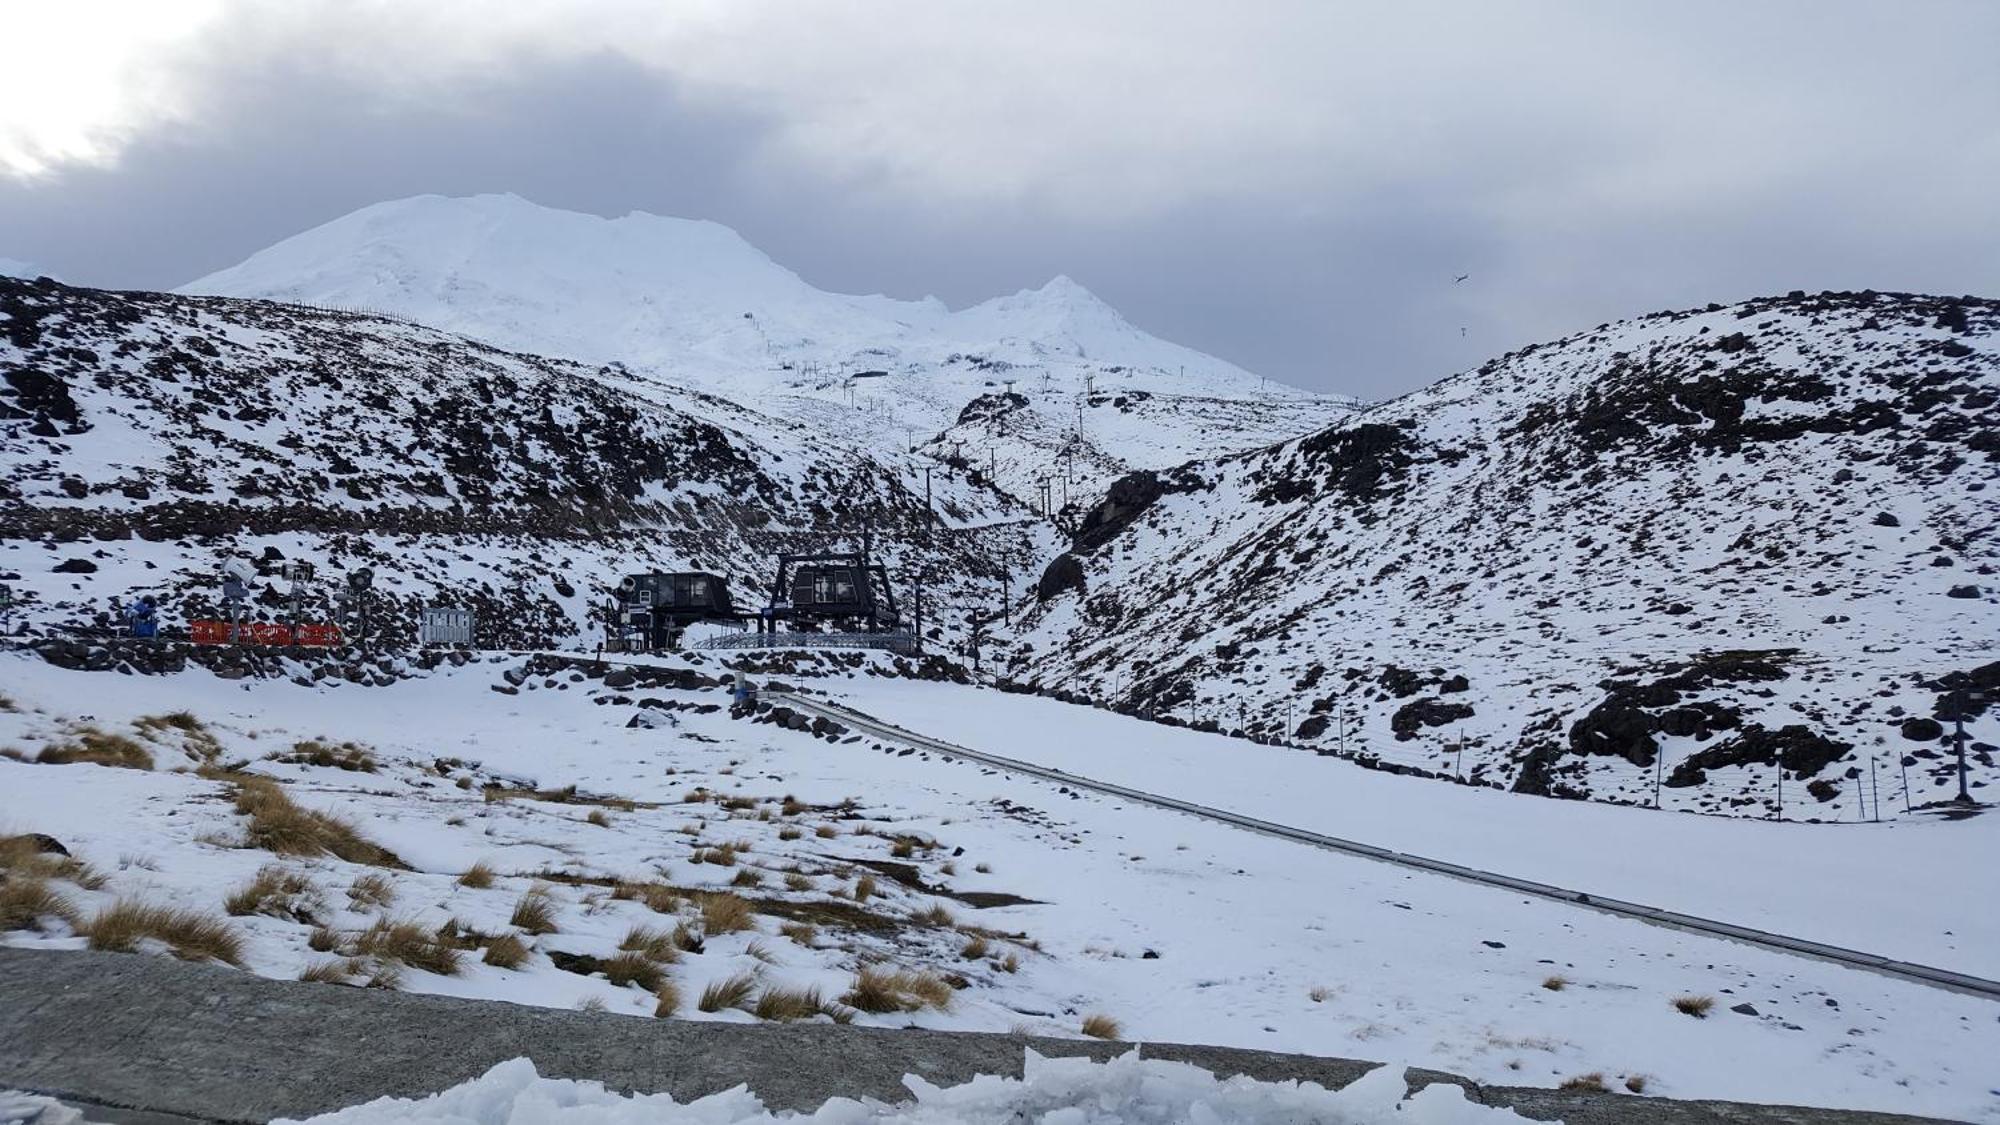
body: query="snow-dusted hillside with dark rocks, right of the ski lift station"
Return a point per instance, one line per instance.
(1677, 549)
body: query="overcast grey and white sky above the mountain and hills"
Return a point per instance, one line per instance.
(1289, 185)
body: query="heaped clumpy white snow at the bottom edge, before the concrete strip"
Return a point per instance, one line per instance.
(1053, 1092)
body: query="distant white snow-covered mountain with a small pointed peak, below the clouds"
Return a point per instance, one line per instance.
(699, 305)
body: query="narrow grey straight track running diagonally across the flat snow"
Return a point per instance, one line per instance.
(1671, 920)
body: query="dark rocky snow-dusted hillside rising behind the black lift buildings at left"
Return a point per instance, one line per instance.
(149, 435)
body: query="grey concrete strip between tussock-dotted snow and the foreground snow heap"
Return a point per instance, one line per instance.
(209, 1044)
